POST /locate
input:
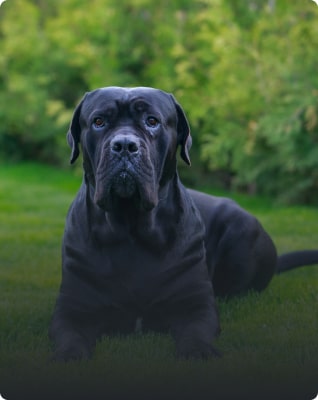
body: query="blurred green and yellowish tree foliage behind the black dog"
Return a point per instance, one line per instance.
(245, 72)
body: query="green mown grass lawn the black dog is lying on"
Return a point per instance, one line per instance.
(269, 341)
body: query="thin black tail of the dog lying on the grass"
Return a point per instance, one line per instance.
(288, 261)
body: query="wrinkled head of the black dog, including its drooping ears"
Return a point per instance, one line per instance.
(129, 139)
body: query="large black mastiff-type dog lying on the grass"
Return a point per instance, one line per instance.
(137, 244)
